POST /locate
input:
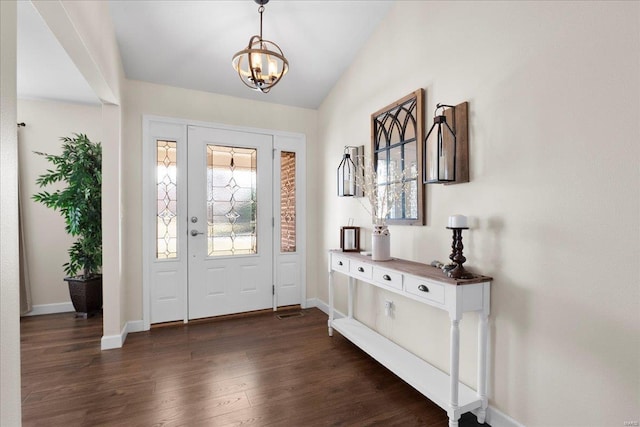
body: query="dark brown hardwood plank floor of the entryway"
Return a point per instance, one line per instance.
(257, 370)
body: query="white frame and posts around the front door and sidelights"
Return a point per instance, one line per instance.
(283, 141)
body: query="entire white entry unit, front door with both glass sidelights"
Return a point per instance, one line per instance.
(241, 192)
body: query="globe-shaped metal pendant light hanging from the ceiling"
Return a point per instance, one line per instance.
(262, 64)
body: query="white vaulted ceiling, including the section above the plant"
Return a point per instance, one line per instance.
(190, 44)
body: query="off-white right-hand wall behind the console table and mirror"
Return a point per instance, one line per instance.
(553, 91)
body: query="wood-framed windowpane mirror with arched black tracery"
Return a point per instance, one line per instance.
(397, 131)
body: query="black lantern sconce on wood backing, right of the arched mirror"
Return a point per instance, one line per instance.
(445, 153)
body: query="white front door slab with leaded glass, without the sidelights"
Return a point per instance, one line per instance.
(230, 228)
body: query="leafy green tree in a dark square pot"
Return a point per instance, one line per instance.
(79, 202)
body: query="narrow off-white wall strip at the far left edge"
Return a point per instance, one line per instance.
(10, 411)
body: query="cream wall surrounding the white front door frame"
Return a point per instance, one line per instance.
(146, 98)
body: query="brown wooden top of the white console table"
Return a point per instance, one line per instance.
(414, 268)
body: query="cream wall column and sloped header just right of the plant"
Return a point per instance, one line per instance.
(85, 31)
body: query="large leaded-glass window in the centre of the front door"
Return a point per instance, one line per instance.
(231, 201)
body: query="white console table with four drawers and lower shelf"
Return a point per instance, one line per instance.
(430, 286)
